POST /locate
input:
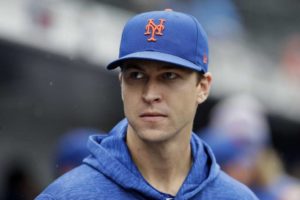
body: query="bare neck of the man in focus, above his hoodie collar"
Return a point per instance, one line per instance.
(164, 165)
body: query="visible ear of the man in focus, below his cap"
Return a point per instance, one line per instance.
(203, 87)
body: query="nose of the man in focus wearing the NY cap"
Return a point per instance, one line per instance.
(151, 92)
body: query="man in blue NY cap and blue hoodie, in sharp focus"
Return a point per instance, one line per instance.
(152, 153)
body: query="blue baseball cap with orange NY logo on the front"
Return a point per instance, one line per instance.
(166, 36)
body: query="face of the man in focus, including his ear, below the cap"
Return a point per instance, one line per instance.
(160, 99)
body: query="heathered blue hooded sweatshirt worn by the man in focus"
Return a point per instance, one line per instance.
(109, 173)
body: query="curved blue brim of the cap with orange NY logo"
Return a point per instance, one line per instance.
(157, 56)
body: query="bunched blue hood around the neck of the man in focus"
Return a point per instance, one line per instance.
(111, 157)
